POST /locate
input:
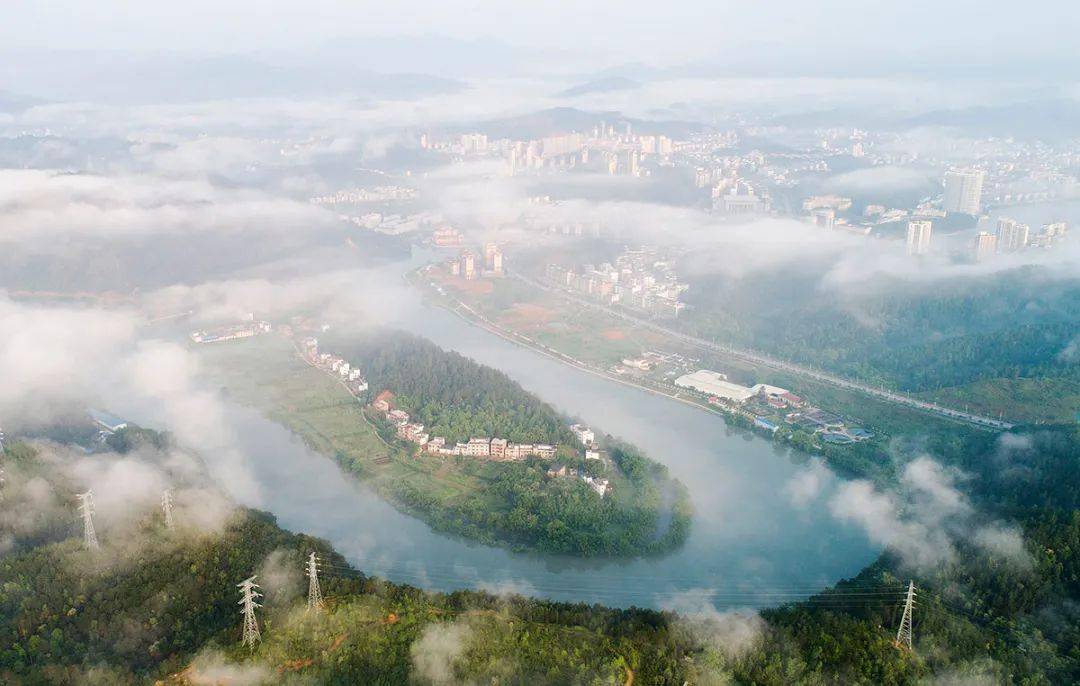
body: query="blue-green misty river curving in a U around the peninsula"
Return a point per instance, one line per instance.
(750, 545)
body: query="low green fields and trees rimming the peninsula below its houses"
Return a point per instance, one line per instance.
(508, 504)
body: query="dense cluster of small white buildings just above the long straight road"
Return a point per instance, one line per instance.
(641, 279)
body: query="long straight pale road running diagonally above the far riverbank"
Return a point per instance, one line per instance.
(763, 360)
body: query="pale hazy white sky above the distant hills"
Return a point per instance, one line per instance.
(609, 32)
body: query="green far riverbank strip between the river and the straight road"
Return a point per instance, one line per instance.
(600, 344)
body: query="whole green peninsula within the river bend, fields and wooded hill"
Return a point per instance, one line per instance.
(526, 505)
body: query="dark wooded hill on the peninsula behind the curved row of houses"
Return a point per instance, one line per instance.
(453, 396)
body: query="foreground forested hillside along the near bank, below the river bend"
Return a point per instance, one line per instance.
(163, 606)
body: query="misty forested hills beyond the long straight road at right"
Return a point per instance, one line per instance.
(911, 337)
